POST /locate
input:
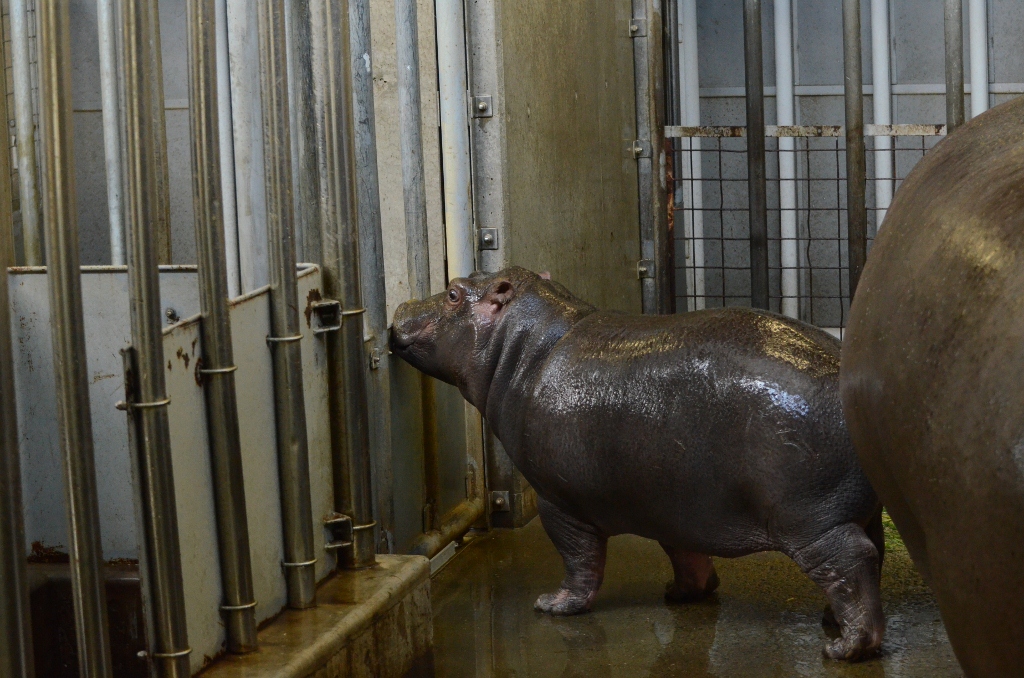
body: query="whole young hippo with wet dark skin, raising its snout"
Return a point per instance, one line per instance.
(715, 433)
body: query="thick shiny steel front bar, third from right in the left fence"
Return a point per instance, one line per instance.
(219, 360)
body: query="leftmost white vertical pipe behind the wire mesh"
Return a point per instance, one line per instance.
(692, 172)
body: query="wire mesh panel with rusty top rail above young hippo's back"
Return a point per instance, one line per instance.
(807, 216)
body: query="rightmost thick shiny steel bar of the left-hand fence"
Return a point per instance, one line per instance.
(336, 153)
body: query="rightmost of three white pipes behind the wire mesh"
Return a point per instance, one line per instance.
(882, 104)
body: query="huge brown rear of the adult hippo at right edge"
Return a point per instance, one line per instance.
(933, 382)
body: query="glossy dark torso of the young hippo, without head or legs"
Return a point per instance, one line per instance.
(697, 445)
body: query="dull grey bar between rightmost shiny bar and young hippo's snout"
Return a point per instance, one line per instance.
(371, 260)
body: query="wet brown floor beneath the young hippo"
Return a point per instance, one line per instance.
(765, 620)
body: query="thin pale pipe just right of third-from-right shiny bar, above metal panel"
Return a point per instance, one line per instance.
(227, 159)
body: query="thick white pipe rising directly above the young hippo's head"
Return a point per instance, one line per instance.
(455, 139)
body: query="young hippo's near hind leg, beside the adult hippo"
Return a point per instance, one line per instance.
(844, 563)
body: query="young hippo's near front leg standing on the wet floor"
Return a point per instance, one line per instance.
(583, 549)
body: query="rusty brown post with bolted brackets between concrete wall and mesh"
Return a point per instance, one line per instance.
(650, 83)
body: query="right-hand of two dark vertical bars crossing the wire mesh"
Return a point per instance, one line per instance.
(857, 174)
